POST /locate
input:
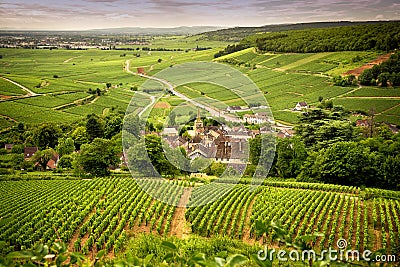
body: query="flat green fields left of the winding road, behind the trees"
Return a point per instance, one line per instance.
(63, 78)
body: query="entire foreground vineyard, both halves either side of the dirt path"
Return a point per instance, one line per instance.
(91, 215)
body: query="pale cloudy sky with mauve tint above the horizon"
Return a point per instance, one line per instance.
(98, 14)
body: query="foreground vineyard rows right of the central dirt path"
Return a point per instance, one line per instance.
(337, 211)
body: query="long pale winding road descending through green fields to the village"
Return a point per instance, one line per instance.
(214, 112)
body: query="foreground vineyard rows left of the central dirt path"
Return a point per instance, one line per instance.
(89, 215)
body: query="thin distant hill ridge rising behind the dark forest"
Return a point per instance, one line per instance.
(238, 33)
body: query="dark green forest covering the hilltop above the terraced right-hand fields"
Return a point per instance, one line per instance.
(382, 37)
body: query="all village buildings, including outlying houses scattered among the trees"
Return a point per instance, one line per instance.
(219, 143)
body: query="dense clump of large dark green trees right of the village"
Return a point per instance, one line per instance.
(328, 148)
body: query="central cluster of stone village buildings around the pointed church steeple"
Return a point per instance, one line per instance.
(221, 143)
